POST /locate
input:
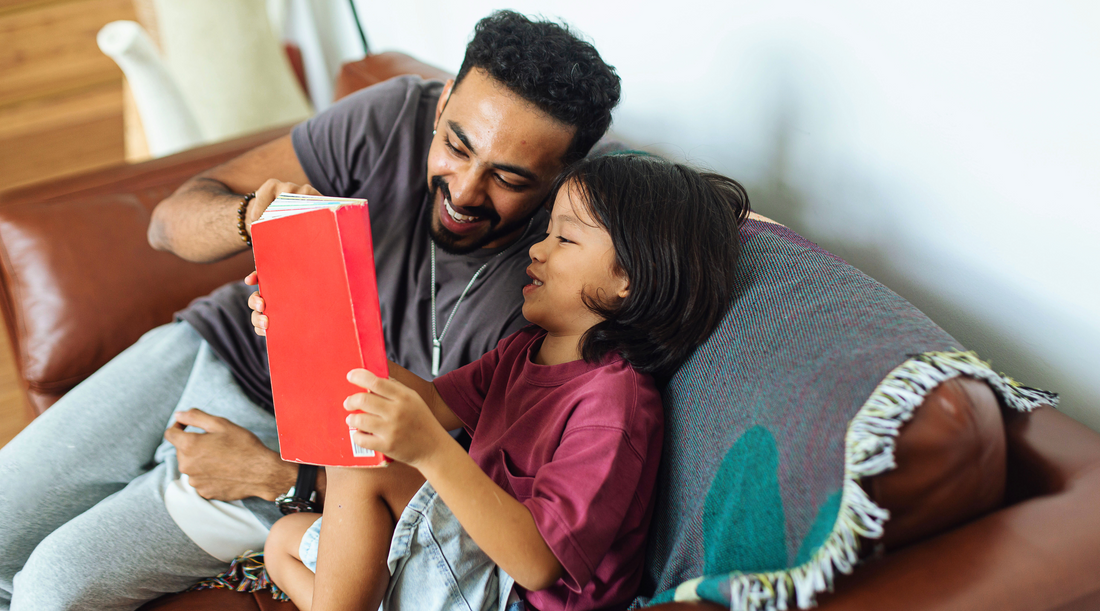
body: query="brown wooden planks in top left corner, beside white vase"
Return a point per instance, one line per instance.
(61, 99)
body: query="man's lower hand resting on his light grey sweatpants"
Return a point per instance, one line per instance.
(227, 463)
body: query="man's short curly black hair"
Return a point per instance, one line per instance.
(547, 66)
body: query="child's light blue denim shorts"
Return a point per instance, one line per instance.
(434, 564)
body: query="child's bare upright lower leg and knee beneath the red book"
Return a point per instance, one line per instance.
(361, 510)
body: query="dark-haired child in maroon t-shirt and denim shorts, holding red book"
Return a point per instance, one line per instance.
(552, 506)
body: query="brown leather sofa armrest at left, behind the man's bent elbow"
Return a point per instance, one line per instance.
(79, 280)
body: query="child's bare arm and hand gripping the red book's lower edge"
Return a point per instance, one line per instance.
(398, 422)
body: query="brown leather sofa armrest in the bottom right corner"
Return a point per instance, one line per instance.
(1041, 553)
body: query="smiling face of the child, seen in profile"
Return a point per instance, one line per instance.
(577, 258)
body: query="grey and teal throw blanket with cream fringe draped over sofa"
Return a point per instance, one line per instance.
(774, 421)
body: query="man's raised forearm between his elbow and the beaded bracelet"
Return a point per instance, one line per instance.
(199, 223)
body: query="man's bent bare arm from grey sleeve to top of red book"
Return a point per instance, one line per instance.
(199, 223)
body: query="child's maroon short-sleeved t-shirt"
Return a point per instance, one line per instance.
(579, 445)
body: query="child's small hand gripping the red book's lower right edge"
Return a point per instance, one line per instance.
(394, 420)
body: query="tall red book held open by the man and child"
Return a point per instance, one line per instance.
(316, 266)
